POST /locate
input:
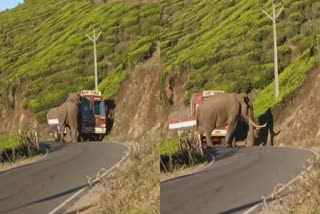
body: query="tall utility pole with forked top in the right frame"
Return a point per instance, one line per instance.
(275, 51)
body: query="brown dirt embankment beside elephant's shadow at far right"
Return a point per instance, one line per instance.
(299, 122)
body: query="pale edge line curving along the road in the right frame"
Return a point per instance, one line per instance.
(255, 207)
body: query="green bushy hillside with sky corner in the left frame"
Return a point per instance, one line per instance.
(43, 43)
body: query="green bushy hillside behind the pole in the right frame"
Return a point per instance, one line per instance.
(228, 45)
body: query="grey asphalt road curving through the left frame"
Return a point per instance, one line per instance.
(43, 185)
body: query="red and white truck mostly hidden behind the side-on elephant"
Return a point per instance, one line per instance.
(186, 119)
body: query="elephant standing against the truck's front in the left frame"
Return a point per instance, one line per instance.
(67, 114)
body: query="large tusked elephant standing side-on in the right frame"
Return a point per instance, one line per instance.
(226, 108)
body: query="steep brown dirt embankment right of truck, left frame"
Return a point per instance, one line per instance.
(137, 102)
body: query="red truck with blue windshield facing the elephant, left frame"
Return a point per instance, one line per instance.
(92, 117)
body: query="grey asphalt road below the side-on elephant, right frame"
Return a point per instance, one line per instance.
(234, 183)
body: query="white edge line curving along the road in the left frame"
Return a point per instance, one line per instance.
(64, 203)
